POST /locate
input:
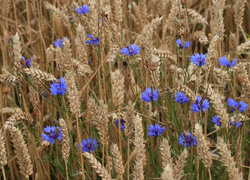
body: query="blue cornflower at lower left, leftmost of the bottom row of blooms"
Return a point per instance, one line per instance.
(53, 133)
